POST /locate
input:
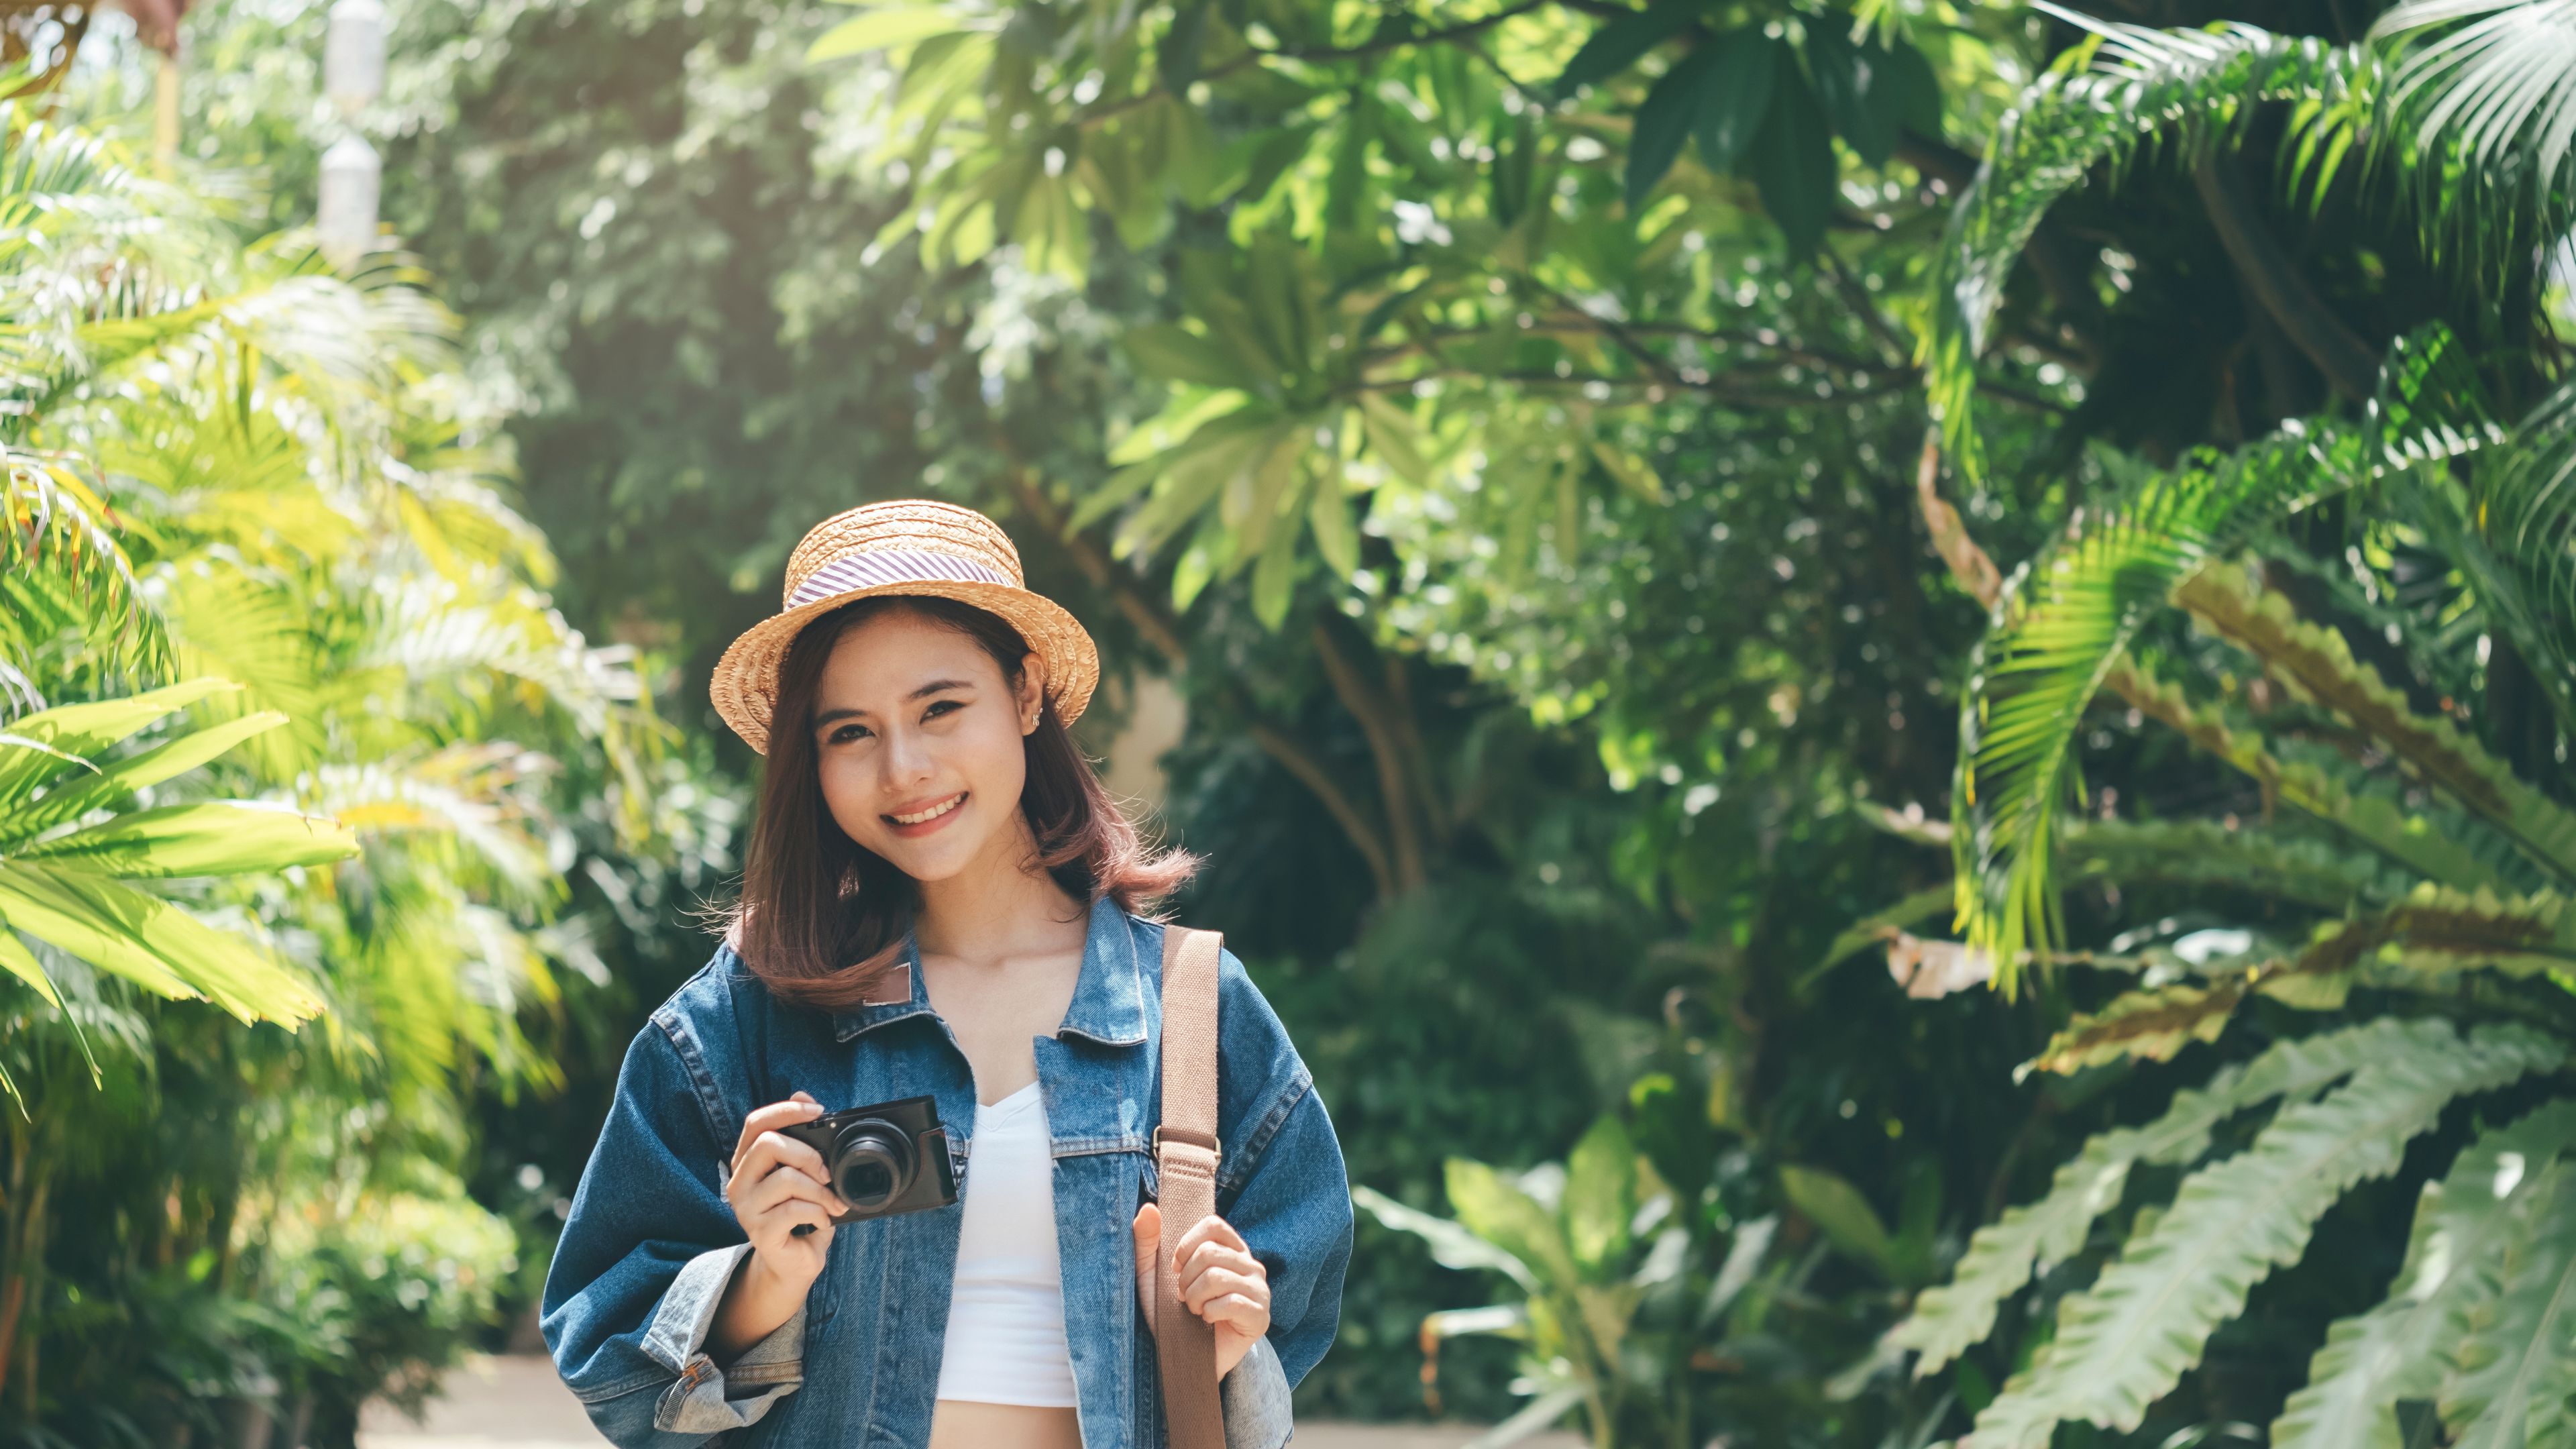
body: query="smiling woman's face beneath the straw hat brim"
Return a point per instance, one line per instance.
(918, 744)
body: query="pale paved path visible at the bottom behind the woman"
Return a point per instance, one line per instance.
(519, 1404)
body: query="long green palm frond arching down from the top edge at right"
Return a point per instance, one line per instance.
(2060, 130)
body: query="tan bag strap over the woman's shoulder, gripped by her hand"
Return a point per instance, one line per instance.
(1186, 1172)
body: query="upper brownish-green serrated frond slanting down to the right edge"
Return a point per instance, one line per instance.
(2317, 666)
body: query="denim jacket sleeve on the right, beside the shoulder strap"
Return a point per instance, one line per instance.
(1282, 1180)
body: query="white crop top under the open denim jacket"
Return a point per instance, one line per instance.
(1006, 1314)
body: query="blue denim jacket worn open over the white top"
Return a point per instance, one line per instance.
(650, 1241)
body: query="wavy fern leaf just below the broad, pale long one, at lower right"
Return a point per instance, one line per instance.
(2397, 1350)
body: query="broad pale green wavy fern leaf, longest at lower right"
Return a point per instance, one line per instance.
(2132, 1337)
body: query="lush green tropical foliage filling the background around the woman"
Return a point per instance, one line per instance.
(1544, 478)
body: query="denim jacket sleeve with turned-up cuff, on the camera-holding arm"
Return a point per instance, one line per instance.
(643, 1265)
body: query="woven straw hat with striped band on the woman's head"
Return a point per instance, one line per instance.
(905, 545)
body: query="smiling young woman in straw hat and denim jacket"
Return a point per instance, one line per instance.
(939, 899)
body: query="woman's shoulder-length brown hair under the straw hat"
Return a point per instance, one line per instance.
(823, 917)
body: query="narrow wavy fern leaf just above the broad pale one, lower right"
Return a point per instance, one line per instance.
(2036, 1236)
